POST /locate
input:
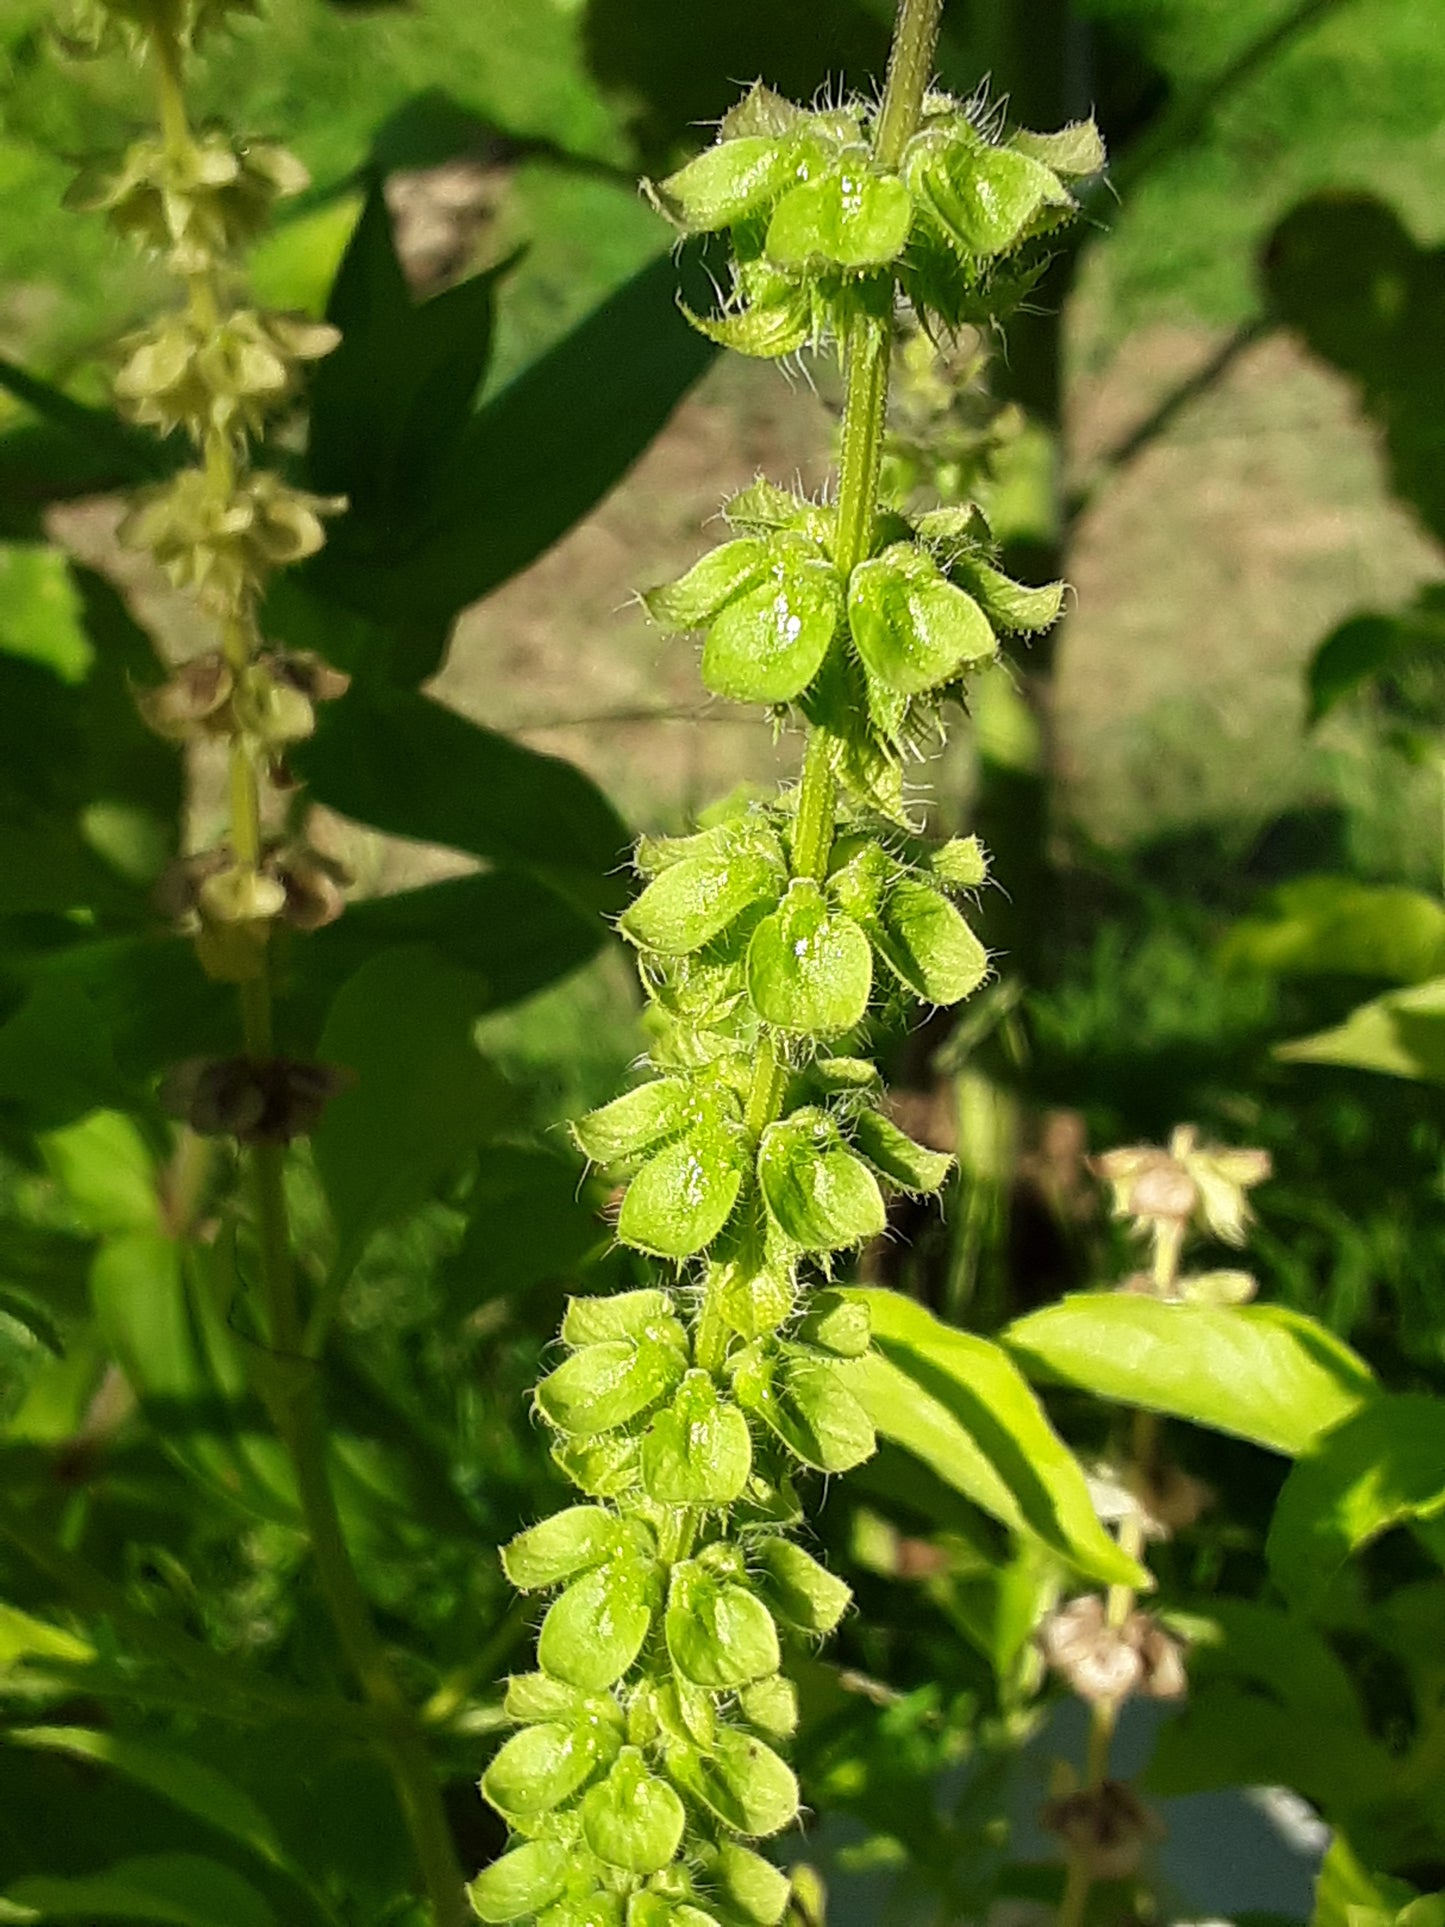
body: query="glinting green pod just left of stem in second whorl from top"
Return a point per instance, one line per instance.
(768, 645)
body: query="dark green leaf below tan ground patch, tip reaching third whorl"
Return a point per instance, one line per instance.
(415, 768)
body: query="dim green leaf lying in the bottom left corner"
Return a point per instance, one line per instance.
(165, 1889)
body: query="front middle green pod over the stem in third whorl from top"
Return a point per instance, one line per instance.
(810, 970)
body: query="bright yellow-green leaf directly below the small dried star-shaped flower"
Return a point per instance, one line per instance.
(1255, 1371)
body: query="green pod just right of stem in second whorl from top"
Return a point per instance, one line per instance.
(914, 629)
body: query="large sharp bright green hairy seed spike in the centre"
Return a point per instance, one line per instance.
(646, 1760)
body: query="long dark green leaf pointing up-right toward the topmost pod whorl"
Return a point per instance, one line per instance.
(539, 456)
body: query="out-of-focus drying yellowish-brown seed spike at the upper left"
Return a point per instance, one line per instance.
(221, 371)
